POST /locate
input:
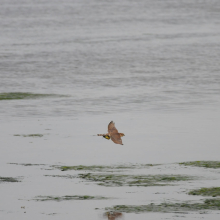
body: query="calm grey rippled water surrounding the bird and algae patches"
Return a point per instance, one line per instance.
(150, 66)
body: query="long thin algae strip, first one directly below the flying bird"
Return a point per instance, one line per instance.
(104, 168)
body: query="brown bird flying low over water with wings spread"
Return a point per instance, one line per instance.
(113, 134)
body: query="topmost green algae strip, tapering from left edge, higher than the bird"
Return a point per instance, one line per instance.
(22, 95)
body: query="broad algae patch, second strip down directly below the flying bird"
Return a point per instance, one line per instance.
(133, 180)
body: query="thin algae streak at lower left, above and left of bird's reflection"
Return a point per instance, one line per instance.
(62, 198)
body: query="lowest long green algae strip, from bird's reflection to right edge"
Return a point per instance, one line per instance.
(208, 204)
